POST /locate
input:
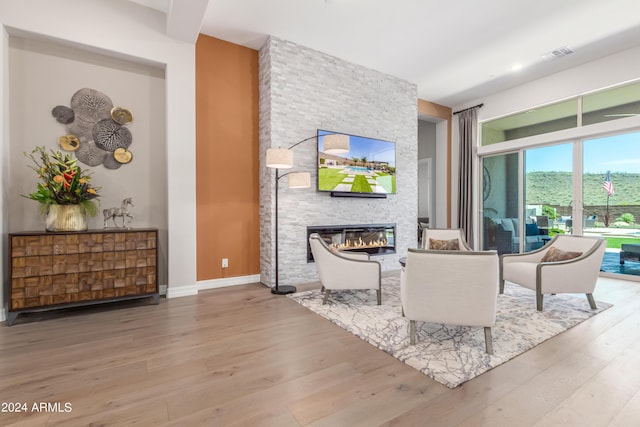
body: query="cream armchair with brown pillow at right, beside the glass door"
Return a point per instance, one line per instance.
(567, 264)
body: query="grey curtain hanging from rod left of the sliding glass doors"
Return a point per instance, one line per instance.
(468, 124)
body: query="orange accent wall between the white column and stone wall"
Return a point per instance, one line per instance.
(227, 165)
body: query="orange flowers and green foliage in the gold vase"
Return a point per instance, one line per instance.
(63, 182)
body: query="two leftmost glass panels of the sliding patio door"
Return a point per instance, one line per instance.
(525, 205)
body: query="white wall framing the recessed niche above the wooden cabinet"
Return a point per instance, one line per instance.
(124, 30)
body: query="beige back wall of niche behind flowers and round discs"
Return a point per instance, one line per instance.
(44, 74)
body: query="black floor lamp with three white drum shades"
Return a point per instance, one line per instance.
(282, 158)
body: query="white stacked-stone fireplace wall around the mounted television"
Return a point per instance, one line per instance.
(302, 90)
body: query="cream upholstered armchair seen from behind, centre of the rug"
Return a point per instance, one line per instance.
(450, 287)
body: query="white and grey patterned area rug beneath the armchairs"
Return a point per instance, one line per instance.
(450, 354)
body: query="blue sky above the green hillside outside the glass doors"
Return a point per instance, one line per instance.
(619, 153)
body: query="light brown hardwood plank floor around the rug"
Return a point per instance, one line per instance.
(242, 356)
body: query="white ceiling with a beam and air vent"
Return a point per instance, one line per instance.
(455, 52)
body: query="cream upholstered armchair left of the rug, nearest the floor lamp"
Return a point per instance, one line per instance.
(344, 270)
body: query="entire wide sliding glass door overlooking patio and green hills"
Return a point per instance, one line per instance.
(589, 187)
